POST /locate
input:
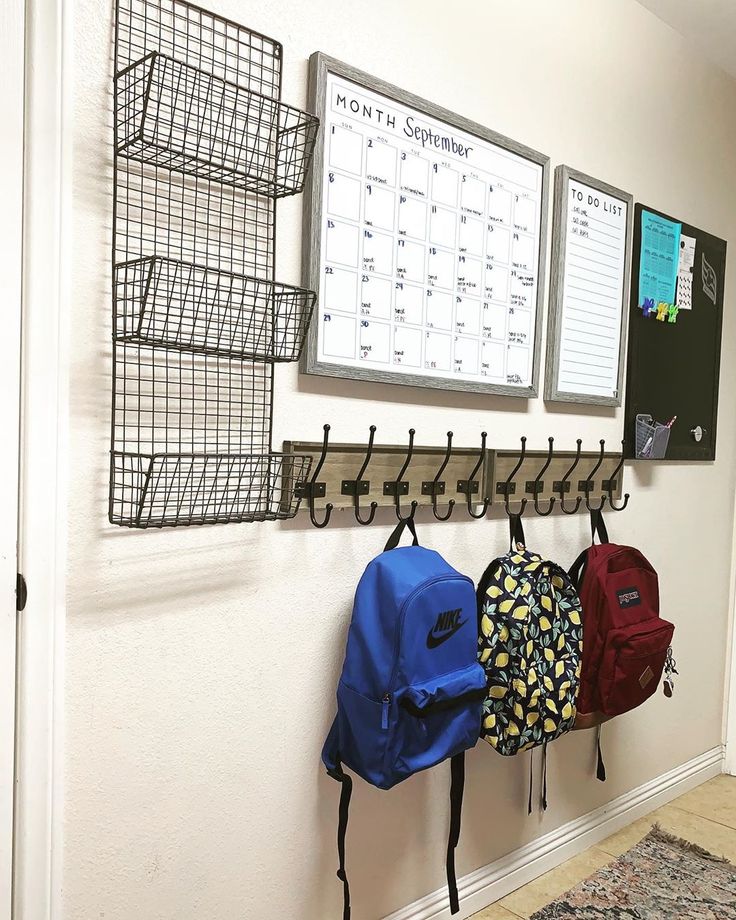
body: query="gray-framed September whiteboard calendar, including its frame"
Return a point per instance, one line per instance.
(425, 241)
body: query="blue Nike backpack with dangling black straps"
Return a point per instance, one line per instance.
(411, 691)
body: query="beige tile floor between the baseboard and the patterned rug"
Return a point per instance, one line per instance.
(706, 816)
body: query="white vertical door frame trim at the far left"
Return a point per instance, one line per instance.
(43, 481)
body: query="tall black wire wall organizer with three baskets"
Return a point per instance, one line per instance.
(203, 149)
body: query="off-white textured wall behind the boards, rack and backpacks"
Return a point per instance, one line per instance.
(201, 663)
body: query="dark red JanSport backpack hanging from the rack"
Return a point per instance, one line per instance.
(625, 641)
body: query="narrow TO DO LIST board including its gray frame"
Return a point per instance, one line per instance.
(591, 257)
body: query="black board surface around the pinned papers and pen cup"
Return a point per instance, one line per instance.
(673, 368)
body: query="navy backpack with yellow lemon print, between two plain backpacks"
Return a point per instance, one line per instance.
(530, 640)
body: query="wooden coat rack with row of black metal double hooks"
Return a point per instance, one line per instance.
(452, 480)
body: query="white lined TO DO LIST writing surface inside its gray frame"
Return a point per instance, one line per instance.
(593, 292)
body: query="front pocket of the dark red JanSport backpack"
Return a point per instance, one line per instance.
(633, 661)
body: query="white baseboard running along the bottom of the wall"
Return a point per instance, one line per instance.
(489, 883)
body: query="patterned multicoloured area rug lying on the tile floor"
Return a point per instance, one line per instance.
(661, 878)
